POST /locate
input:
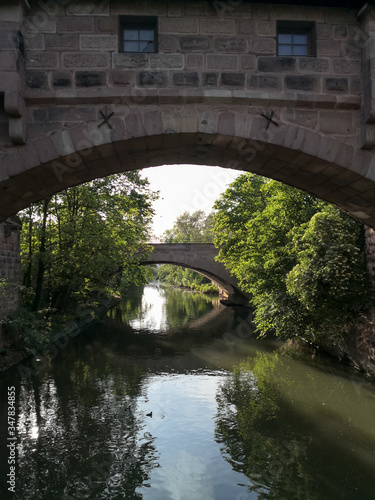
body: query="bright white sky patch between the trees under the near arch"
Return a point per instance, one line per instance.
(185, 188)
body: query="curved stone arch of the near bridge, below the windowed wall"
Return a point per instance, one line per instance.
(231, 137)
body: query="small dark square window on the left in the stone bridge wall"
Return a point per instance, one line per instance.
(138, 34)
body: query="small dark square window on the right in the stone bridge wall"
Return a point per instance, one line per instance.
(296, 38)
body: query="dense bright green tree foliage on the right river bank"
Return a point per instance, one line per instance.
(302, 260)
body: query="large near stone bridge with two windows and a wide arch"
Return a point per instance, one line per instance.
(284, 89)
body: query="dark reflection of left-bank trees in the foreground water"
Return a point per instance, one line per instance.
(88, 439)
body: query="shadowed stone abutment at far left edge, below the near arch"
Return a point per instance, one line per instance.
(10, 270)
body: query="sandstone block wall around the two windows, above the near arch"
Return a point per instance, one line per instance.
(72, 58)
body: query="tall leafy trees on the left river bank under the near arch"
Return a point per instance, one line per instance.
(78, 247)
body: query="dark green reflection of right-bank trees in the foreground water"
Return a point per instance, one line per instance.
(284, 452)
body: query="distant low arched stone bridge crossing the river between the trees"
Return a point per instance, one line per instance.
(199, 257)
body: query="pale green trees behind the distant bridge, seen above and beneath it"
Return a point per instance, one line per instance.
(188, 228)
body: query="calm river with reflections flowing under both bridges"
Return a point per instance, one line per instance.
(171, 397)
